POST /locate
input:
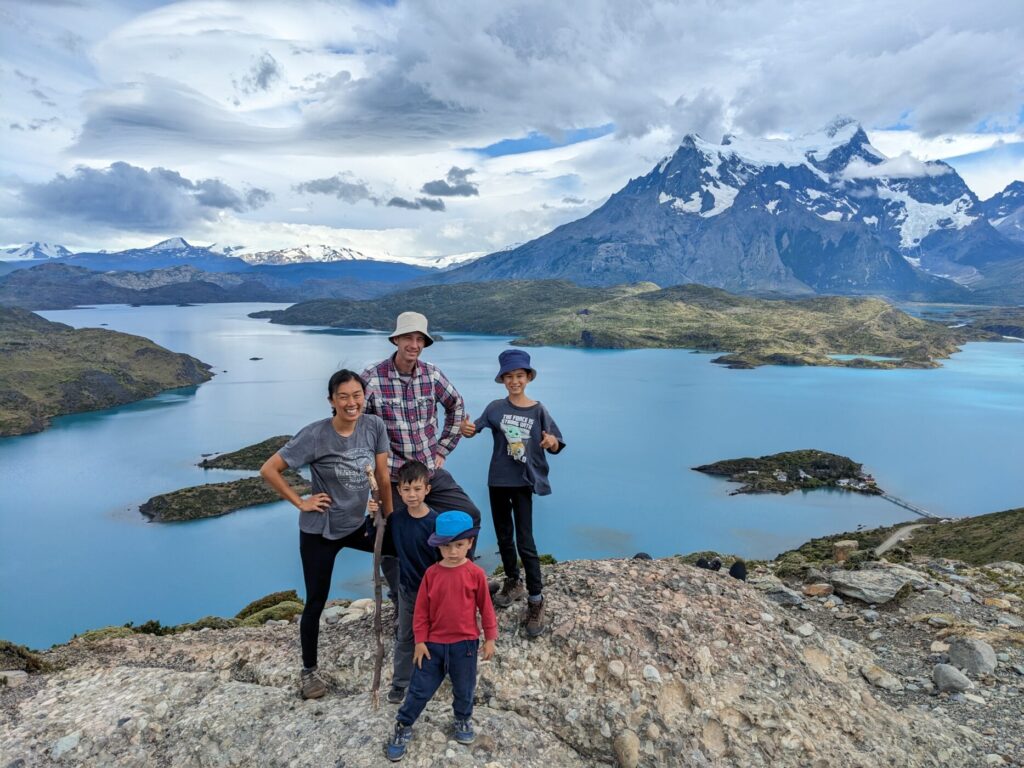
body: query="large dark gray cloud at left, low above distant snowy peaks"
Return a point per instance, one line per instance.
(127, 197)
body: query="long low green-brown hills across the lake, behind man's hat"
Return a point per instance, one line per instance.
(754, 331)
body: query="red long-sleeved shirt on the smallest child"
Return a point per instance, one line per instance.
(448, 603)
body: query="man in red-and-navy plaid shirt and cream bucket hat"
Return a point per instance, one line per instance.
(405, 392)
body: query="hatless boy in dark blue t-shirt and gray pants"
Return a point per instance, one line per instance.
(411, 529)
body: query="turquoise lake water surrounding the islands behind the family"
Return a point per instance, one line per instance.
(76, 554)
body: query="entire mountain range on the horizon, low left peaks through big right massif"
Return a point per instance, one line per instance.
(827, 214)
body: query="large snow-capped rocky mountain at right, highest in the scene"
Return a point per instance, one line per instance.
(824, 214)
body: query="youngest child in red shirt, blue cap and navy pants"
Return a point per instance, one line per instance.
(448, 639)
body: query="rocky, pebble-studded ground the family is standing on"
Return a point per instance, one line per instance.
(646, 663)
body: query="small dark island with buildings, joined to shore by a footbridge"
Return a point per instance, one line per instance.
(794, 471)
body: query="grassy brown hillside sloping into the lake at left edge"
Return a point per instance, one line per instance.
(50, 369)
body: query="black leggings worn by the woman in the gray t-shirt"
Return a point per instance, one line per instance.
(318, 556)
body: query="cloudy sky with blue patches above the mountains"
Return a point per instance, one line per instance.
(422, 131)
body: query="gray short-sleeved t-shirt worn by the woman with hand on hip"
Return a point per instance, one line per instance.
(337, 467)
